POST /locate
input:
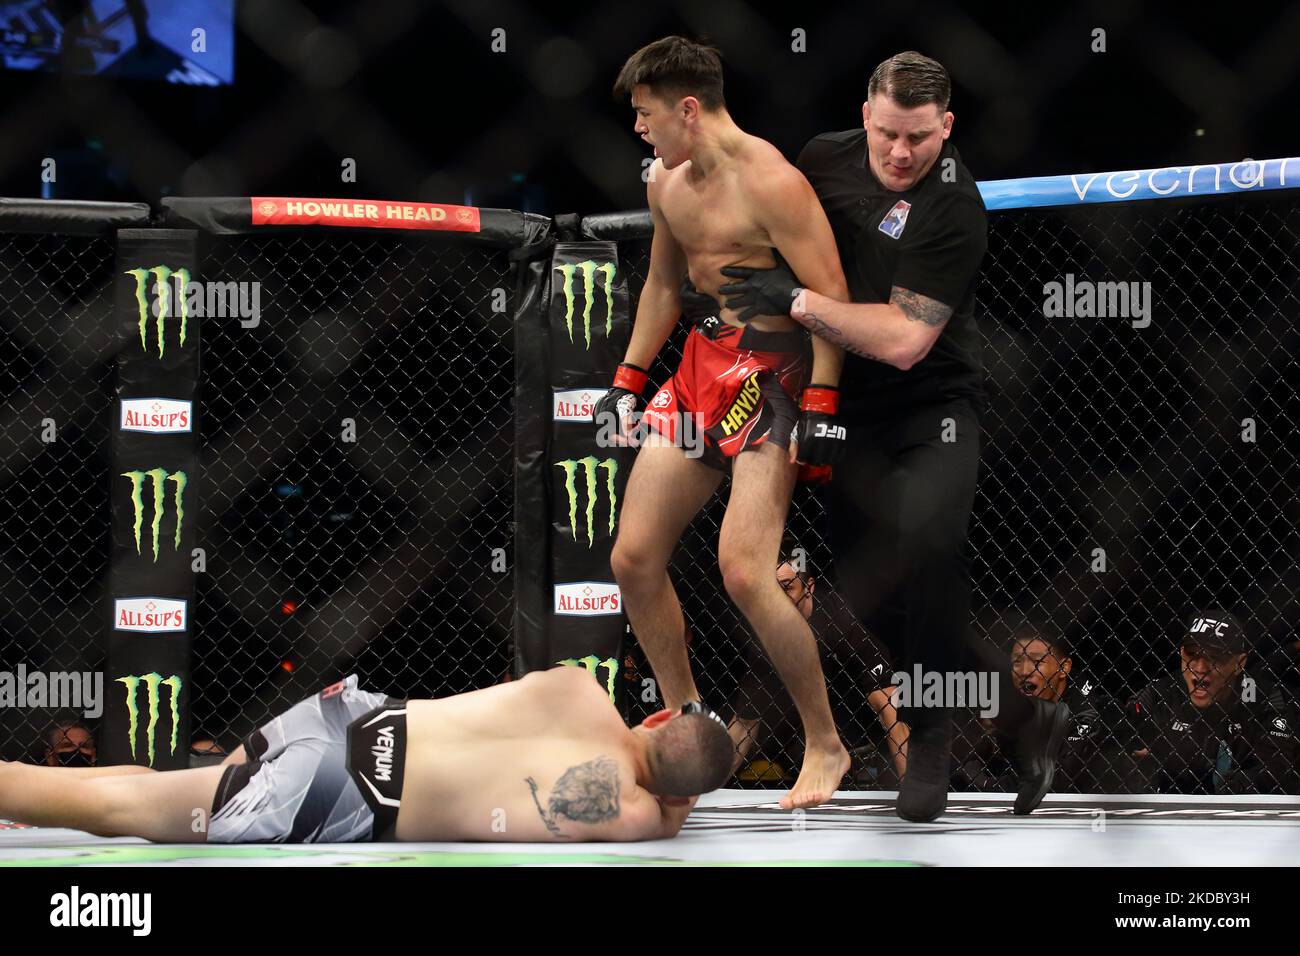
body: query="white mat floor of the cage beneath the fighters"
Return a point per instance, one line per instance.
(736, 828)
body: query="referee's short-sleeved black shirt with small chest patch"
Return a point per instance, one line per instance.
(937, 253)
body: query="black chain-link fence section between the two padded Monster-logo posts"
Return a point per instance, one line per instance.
(358, 475)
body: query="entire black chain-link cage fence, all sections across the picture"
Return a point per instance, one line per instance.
(357, 485)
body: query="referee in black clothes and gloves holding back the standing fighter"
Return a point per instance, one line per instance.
(904, 434)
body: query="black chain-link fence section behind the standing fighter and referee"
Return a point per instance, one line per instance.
(1123, 490)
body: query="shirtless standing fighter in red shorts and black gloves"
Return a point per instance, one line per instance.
(721, 197)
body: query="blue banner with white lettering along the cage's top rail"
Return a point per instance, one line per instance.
(1128, 187)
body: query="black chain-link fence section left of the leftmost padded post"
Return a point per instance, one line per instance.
(57, 396)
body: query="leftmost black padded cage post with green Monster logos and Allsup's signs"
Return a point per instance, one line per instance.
(155, 488)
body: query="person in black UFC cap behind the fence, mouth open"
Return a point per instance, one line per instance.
(1216, 726)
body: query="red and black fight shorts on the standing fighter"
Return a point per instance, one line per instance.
(739, 388)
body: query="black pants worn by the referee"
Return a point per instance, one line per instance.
(899, 512)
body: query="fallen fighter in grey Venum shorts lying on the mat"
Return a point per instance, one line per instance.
(541, 759)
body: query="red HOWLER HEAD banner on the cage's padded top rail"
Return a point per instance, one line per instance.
(363, 214)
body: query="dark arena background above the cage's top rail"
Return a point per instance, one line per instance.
(414, 94)
